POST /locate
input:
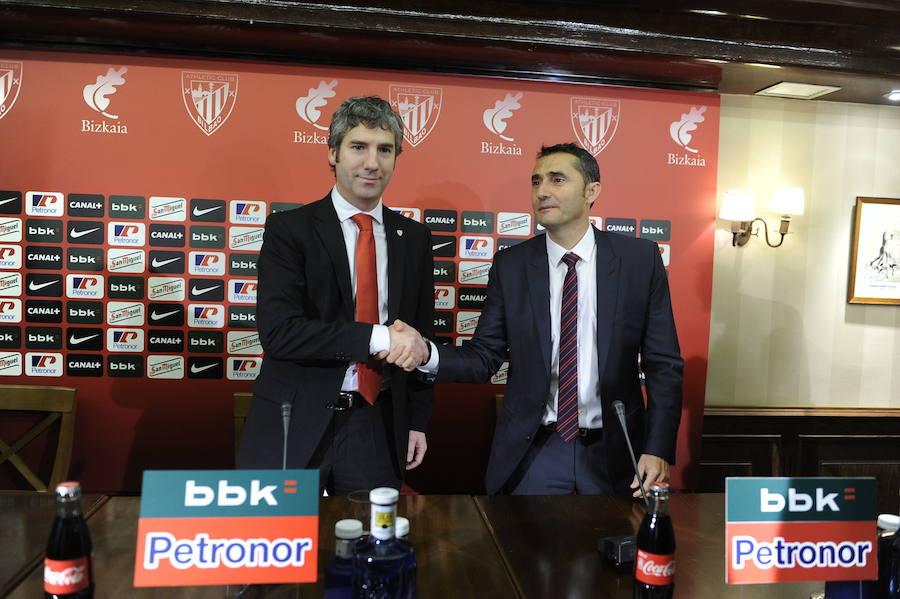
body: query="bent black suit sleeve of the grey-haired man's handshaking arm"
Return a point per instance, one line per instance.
(287, 329)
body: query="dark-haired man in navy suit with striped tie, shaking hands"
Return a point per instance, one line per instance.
(574, 311)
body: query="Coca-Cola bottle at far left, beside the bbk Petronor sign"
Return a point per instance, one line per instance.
(67, 568)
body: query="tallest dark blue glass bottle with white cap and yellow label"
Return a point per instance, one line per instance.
(380, 565)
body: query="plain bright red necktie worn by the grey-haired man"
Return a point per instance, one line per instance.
(368, 373)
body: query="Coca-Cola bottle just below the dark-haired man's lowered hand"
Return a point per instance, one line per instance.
(654, 564)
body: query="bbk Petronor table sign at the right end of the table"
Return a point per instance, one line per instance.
(800, 529)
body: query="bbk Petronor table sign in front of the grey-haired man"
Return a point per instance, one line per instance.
(217, 527)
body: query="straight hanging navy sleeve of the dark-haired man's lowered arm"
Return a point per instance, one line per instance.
(663, 366)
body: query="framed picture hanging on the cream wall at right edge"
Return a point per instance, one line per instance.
(875, 262)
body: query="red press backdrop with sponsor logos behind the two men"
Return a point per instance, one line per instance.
(134, 191)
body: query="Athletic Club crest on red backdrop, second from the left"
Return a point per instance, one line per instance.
(209, 98)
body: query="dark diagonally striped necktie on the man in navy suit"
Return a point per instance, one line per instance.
(567, 395)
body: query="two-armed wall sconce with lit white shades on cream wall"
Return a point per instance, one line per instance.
(738, 207)
